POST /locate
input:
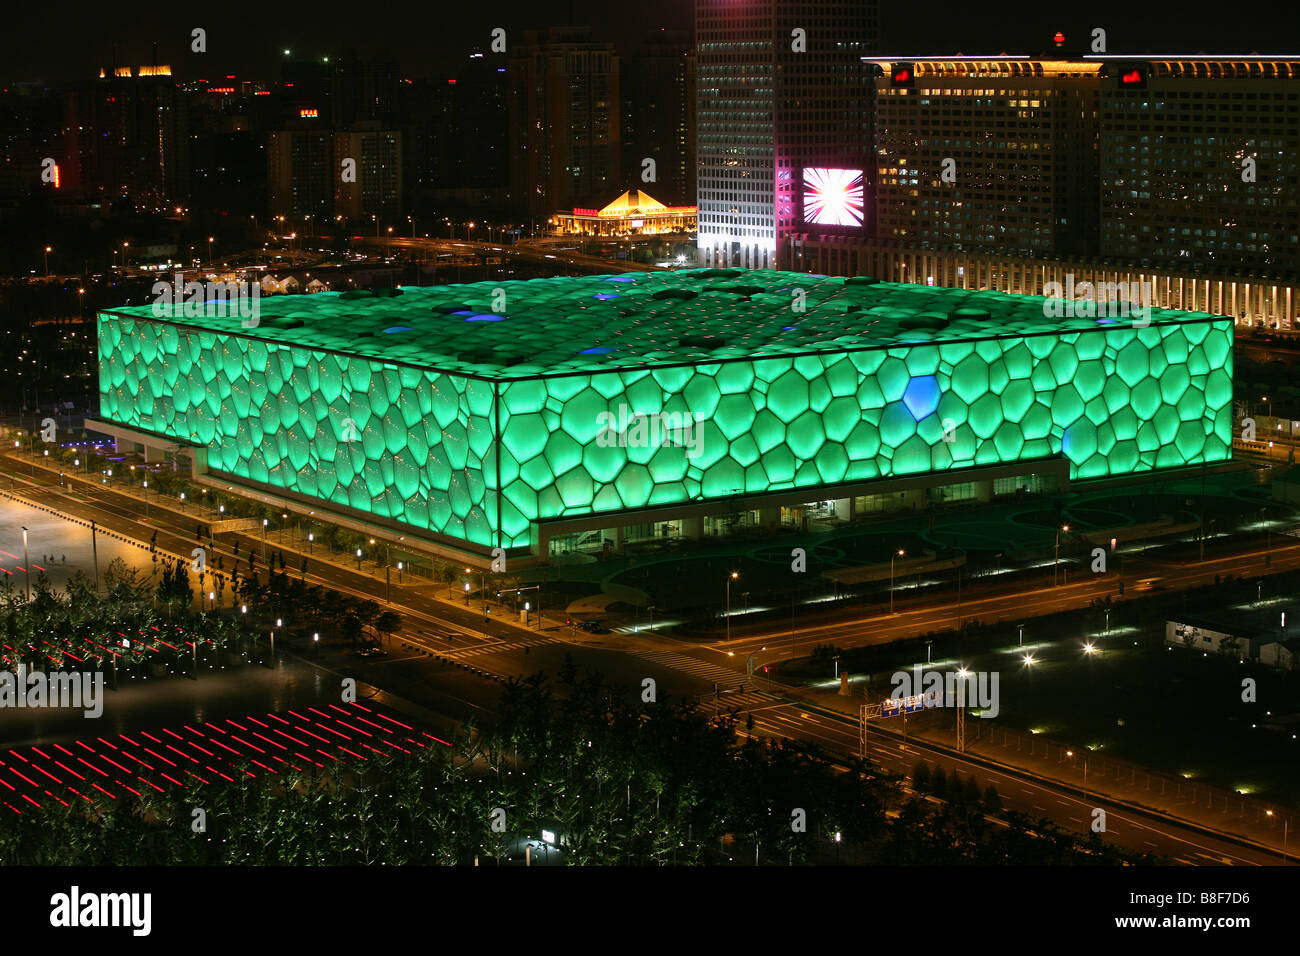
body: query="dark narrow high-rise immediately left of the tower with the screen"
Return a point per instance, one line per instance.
(658, 89)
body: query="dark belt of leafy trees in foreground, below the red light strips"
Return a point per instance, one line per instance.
(618, 782)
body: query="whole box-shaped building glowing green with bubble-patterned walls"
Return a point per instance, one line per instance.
(548, 414)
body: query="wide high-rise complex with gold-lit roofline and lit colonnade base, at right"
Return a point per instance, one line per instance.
(1171, 172)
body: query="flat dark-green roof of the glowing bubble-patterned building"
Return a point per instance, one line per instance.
(545, 327)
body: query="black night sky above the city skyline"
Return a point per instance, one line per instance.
(70, 41)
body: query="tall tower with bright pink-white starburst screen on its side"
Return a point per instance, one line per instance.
(783, 124)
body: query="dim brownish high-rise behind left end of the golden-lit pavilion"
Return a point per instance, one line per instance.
(564, 113)
